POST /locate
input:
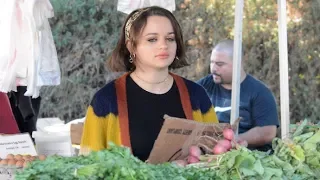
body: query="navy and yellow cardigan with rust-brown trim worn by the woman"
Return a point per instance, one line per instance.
(107, 116)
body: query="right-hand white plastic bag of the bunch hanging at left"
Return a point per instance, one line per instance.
(47, 70)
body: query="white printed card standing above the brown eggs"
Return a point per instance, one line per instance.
(16, 144)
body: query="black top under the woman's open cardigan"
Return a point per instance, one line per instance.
(145, 113)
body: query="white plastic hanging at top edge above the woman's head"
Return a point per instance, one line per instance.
(127, 6)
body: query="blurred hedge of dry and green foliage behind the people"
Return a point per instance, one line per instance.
(86, 31)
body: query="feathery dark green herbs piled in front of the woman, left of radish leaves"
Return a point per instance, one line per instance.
(115, 163)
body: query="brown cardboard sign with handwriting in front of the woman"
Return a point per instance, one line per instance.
(177, 135)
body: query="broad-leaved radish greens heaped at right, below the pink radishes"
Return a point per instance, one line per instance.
(297, 158)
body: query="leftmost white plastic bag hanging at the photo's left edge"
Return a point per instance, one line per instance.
(16, 46)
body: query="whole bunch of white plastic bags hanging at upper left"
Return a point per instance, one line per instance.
(28, 55)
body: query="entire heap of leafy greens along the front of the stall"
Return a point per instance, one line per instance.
(296, 158)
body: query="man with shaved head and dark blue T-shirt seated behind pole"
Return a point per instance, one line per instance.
(257, 103)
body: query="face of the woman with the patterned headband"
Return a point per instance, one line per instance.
(156, 47)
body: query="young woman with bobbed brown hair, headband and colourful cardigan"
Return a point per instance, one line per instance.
(129, 110)
